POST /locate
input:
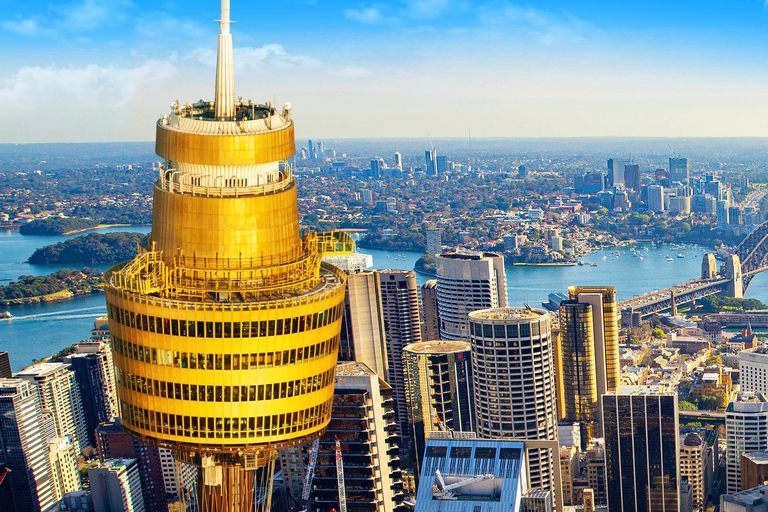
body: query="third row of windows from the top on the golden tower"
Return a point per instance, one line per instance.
(200, 393)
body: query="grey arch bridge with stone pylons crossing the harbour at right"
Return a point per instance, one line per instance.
(731, 279)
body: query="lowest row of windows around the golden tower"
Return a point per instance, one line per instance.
(224, 428)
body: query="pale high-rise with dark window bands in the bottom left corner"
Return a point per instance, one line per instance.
(24, 450)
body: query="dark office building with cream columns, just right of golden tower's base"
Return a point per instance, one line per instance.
(363, 412)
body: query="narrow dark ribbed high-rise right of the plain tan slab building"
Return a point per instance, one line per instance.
(402, 325)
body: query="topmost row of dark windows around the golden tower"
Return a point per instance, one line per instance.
(195, 329)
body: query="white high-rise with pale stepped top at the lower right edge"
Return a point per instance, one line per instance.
(746, 431)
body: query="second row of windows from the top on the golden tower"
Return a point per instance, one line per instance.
(208, 361)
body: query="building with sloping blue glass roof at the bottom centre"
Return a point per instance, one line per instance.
(461, 473)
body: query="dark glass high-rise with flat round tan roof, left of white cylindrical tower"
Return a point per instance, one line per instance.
(438, 389)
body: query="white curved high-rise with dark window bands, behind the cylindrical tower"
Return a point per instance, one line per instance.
(466, 282)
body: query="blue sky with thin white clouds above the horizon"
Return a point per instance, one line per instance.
(105, 70)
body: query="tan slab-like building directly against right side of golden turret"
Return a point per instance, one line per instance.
(362, 325)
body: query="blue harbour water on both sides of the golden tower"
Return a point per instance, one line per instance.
(38, 330)
